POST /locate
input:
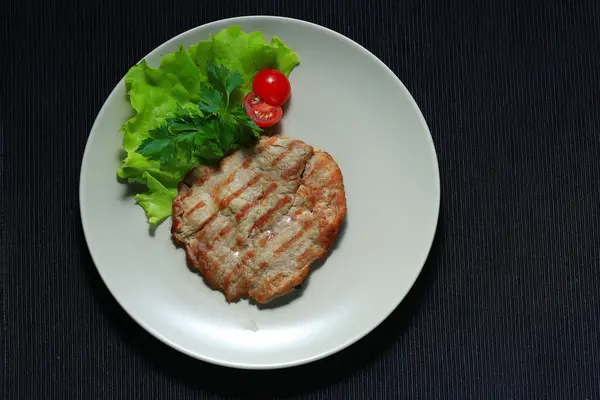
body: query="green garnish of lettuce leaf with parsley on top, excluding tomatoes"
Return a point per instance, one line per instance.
(190, 111)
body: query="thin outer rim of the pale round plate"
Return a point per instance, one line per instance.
(363, 332)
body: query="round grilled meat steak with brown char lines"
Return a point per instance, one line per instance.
(254, 225)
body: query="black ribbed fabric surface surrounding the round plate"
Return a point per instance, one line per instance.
(508, 304)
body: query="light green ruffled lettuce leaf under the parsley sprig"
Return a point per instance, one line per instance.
(156, 93)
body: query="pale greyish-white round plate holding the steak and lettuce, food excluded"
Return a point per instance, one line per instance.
(345, 101)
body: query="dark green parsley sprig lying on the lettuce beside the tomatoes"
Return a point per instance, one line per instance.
(208, 132)
